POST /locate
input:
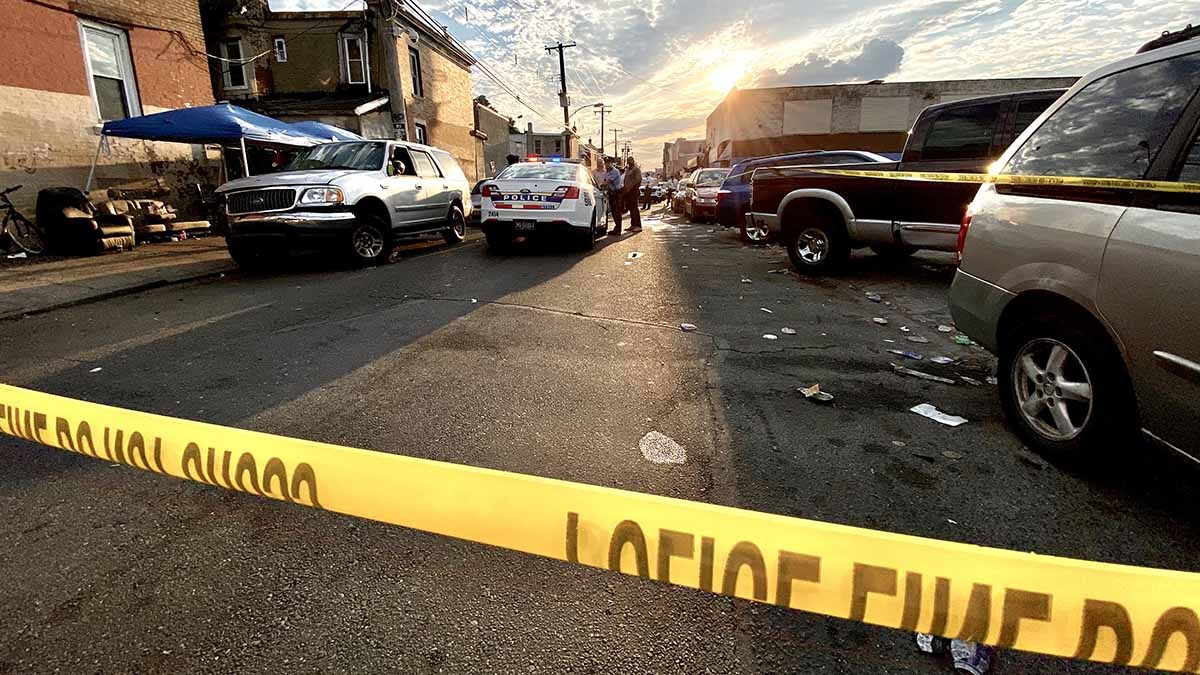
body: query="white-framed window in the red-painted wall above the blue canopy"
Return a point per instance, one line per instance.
(111, 71)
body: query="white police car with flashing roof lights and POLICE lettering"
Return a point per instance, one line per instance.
(537, 199)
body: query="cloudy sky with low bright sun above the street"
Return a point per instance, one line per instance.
(664, 65)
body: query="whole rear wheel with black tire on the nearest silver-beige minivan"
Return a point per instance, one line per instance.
(1099, 411)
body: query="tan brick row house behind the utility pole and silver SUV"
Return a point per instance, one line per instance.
(386, 71)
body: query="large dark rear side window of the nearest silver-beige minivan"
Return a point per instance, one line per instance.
(1115, 127)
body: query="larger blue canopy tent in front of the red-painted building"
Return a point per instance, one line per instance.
(218, 124)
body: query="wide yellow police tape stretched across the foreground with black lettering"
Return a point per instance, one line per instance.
(1053, 606)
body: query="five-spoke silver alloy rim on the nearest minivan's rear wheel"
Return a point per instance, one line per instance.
(1054, 390)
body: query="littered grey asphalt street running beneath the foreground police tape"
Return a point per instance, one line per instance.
(544, 362)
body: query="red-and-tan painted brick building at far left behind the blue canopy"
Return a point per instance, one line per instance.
(71, 64)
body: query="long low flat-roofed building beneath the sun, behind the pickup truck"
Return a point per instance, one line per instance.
(753, 123)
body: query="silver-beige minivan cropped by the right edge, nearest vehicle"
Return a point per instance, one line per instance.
(1090, 296)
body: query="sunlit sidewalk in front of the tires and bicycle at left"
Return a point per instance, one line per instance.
(37, 285)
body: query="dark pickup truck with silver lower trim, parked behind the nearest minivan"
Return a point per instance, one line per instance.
(821, 218)
